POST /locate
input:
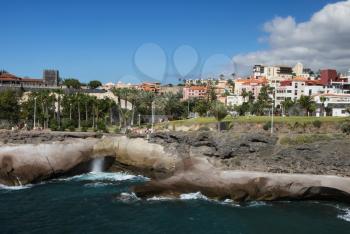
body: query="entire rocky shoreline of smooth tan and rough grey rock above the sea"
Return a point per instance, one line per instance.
(221, 165)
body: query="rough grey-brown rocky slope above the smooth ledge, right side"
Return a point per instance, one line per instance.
(260, 152)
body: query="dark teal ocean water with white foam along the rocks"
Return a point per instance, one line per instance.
(102, 203)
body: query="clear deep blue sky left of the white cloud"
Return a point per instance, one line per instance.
(98, 39)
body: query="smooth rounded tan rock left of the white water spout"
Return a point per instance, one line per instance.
(30, 163)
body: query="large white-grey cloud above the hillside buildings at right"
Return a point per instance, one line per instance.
(321, 42)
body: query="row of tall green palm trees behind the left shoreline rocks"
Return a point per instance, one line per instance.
(54, 108)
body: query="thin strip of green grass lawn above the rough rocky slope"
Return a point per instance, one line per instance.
(260, 119)
